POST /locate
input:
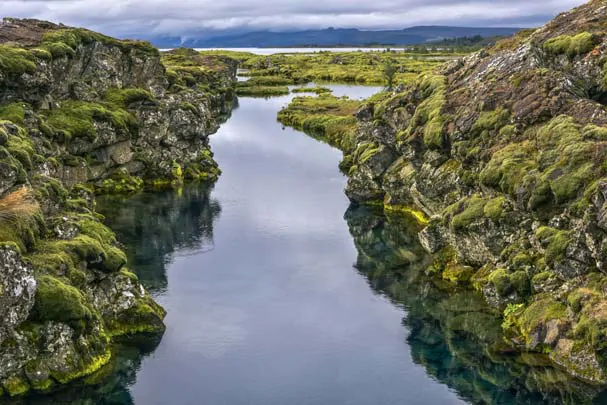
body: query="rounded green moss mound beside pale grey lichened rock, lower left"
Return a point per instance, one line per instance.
(60, 302)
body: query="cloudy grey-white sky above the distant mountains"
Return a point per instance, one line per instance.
(186, 17)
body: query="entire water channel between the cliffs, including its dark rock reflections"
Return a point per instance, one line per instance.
(275, 296)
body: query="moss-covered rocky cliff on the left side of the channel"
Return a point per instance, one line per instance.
(82, 113)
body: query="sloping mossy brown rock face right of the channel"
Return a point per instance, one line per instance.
(505, 151)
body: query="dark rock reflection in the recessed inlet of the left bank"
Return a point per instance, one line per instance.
(151, 226)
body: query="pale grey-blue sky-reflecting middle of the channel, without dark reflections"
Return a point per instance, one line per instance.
(267, 308)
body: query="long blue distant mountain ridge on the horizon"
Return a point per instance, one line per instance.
(331, 37)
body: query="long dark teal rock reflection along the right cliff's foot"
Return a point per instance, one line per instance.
(452, 331)
